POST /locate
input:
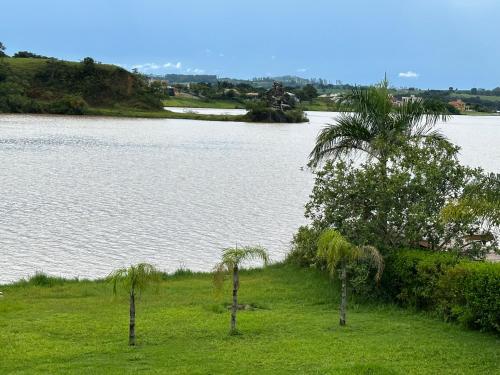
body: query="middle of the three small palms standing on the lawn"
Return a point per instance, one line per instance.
(230, 263)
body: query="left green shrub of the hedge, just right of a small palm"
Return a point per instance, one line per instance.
(412, 276)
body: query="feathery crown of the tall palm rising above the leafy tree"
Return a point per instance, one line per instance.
(372, 124)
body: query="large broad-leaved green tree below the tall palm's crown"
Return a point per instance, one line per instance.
(419, 181)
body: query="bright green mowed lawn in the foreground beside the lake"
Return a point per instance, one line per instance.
(182, 328)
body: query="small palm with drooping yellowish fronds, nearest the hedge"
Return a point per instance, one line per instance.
(338, 253)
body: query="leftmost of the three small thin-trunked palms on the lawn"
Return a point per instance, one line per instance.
(134, 279)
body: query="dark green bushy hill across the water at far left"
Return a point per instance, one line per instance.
(42, 85)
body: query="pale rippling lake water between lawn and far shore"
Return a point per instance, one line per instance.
(81, 196)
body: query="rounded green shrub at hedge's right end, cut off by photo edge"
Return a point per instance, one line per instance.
(470, 293)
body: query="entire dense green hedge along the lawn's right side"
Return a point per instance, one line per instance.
(458, 290)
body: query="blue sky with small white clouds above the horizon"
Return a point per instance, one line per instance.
(418, 43)
